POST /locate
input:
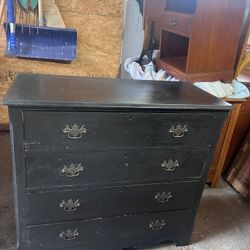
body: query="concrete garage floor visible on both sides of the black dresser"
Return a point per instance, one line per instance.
(222, 223)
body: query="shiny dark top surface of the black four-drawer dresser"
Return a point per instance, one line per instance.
(66, 91)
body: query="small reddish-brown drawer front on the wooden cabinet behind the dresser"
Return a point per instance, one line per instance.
(177, 23)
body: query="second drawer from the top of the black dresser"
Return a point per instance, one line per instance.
(114, 167)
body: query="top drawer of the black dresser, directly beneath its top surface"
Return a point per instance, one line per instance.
(74, 131)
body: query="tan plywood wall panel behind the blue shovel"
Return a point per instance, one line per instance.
(99, 24)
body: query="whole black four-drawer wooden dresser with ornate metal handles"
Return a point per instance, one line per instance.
(104, 164)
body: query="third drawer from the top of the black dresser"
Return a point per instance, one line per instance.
(91, 203)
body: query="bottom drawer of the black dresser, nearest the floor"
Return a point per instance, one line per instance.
(82, 233)
